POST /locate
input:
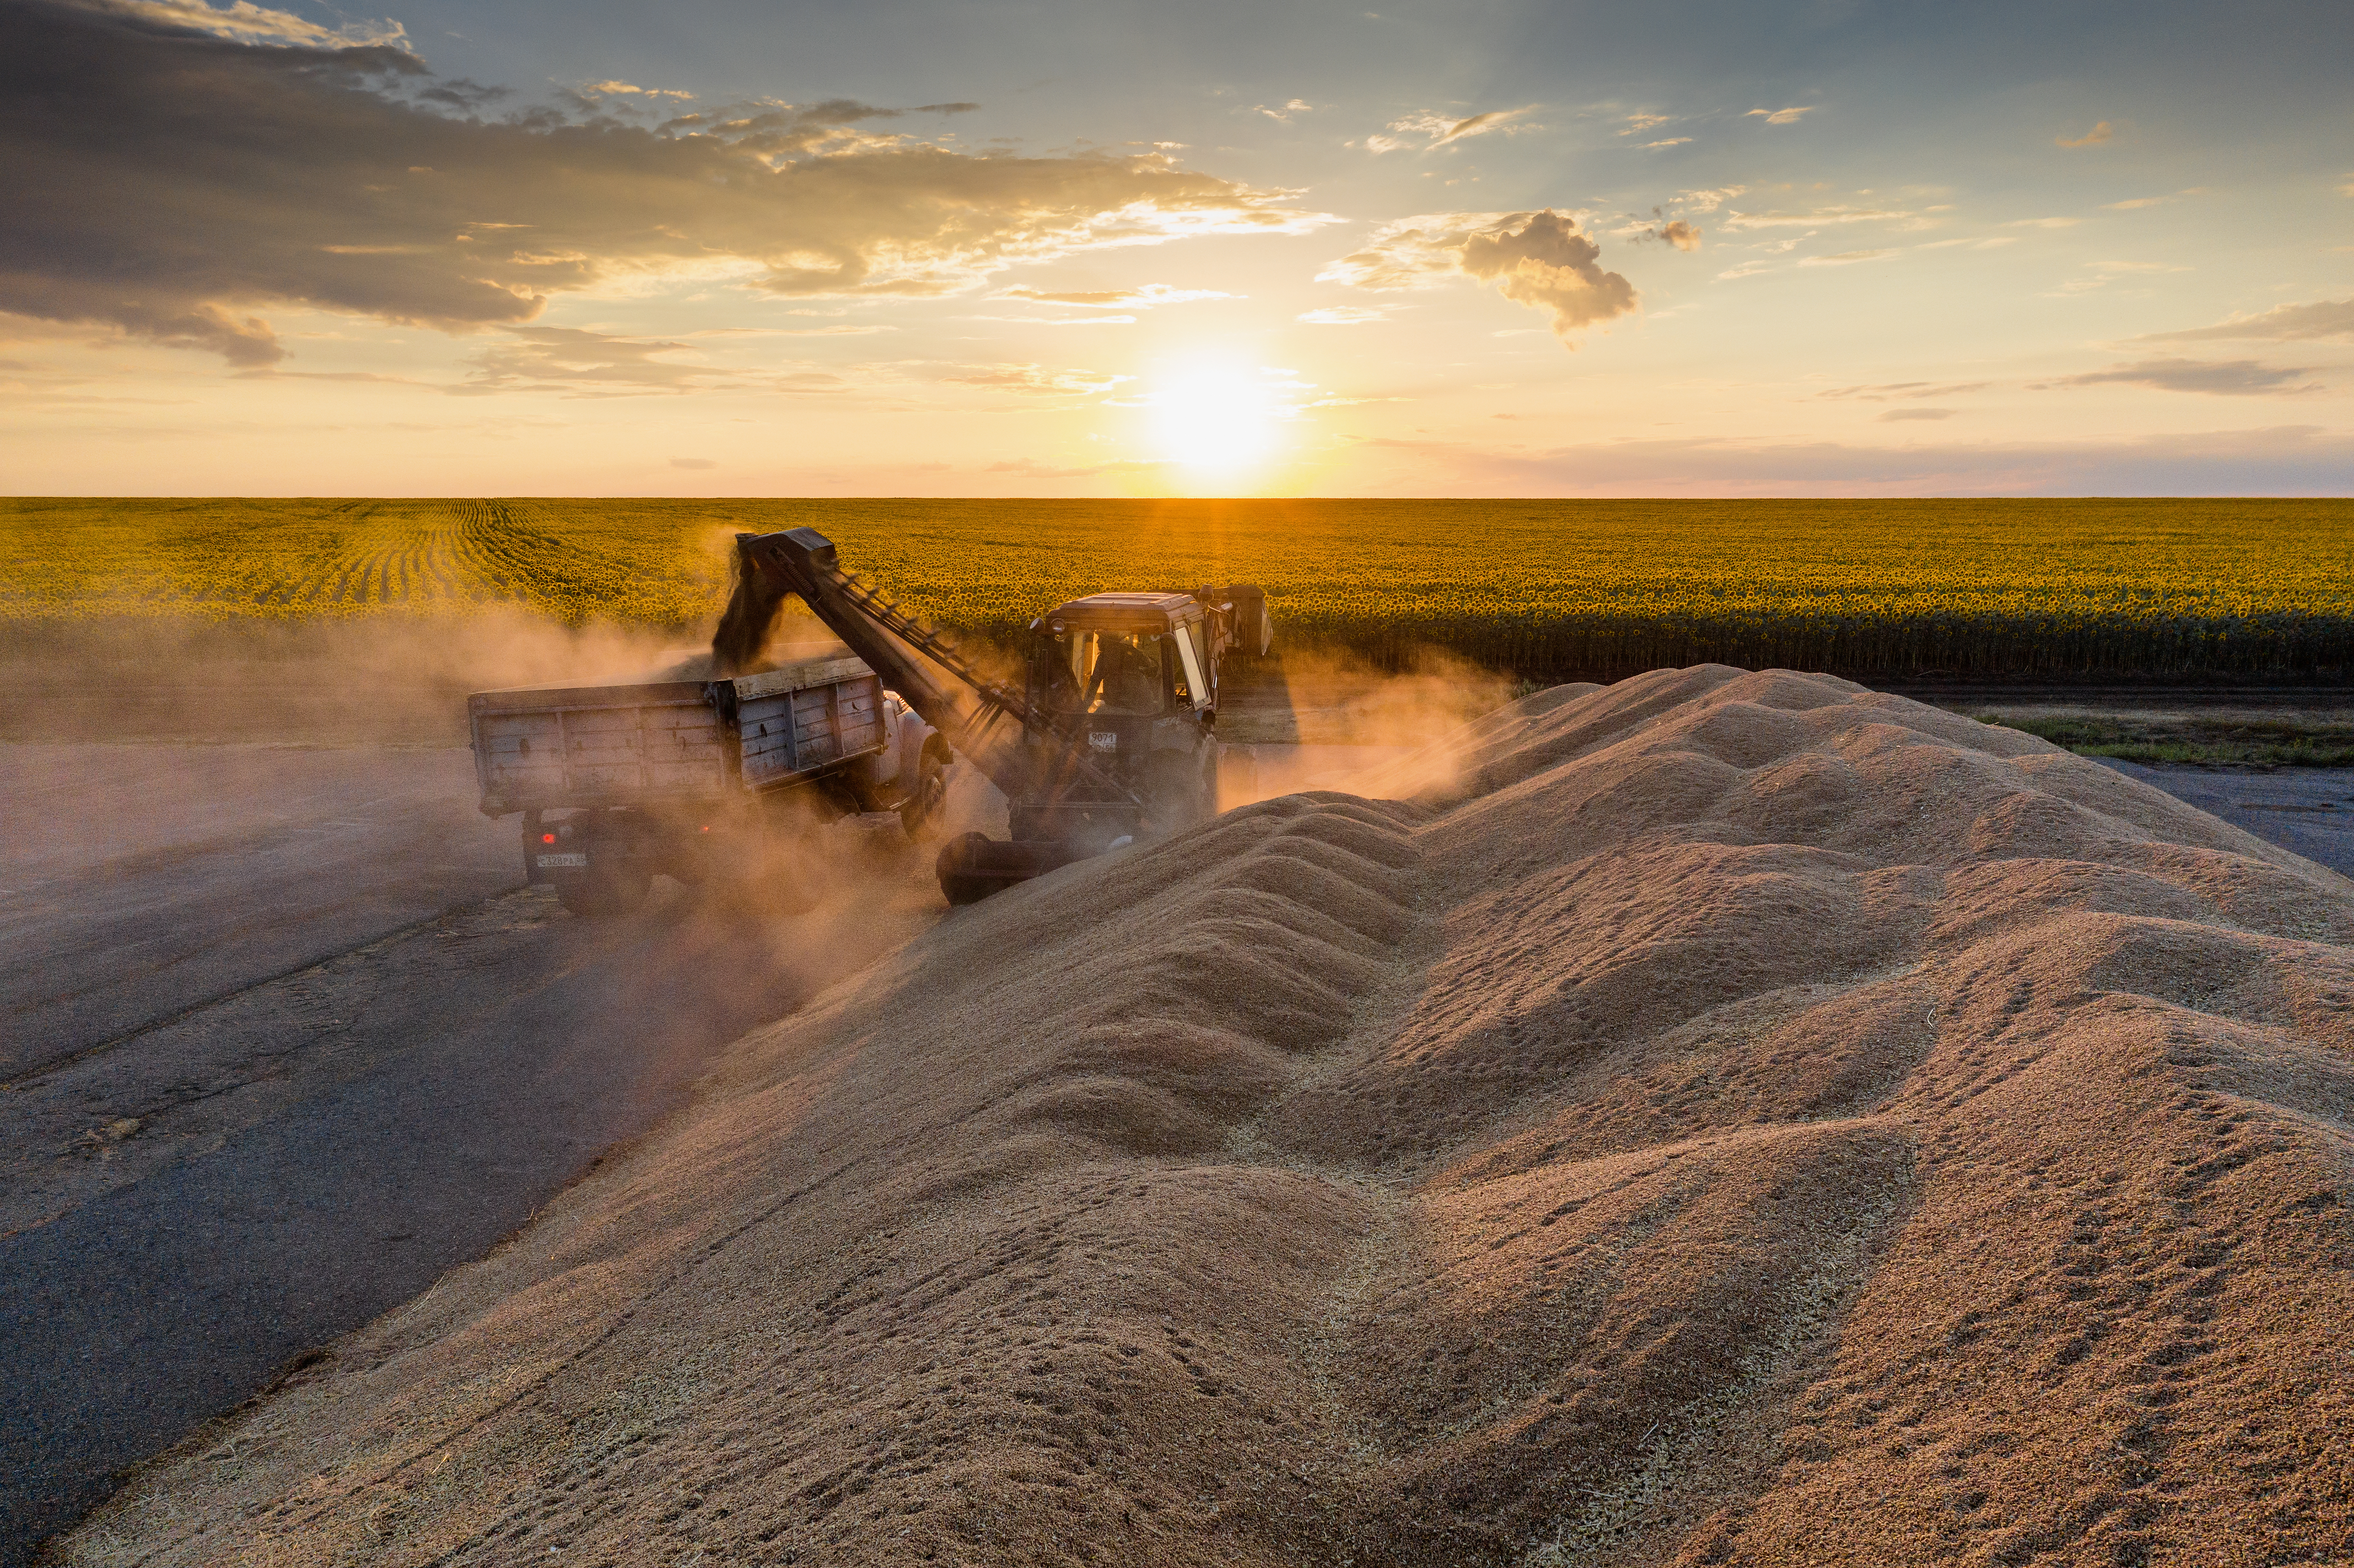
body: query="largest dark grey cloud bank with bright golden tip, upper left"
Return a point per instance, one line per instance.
(173, 178)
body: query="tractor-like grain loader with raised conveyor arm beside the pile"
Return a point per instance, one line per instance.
(1108, 740)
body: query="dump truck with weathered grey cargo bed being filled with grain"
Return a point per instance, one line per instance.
(700, 780)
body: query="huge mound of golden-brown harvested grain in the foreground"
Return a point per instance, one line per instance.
(1750, 1122)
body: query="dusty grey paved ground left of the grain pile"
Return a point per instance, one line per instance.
(286, 1039)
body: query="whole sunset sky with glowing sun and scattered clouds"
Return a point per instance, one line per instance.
(1501, 248)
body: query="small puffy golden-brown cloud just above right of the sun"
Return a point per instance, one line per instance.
(1534, 258)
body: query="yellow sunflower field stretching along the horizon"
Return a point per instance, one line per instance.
(2037, 590)
